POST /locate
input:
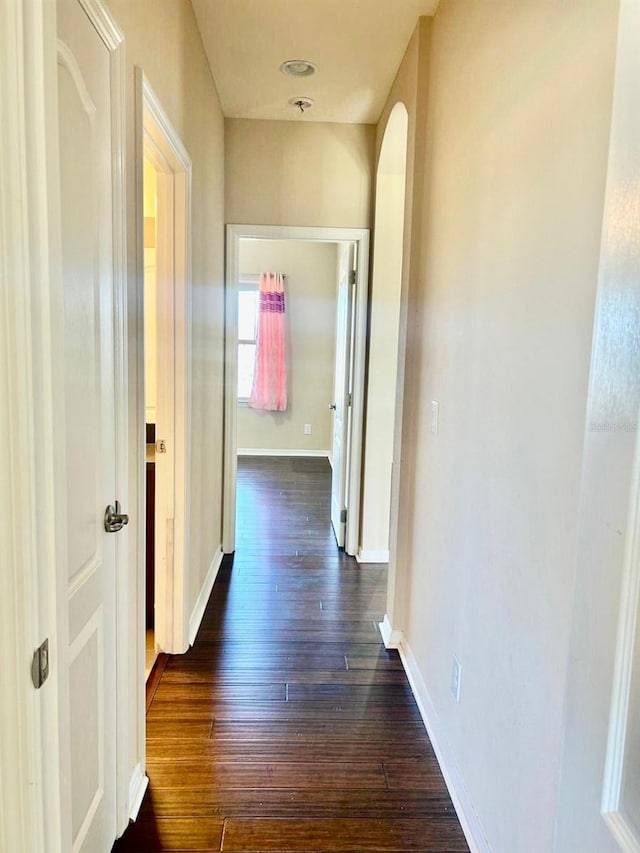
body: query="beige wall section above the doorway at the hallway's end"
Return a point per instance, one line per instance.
(298, 173)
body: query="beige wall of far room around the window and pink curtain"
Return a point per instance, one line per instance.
(310, 289)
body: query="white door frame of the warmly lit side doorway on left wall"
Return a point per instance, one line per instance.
(155, 133)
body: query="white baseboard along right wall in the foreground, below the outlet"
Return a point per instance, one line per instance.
(467, 815)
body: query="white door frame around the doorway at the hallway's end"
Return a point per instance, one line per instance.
(236, 281)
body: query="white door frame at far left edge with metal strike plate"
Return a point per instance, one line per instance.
(30, 788)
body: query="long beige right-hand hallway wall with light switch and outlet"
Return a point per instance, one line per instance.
(511, 106)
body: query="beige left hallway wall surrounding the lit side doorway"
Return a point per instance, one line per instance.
(163, 39)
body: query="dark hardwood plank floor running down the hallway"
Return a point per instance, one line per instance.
(288, 726)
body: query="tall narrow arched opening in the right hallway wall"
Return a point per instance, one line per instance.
(383, 386)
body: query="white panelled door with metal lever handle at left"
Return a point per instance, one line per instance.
(91, 403)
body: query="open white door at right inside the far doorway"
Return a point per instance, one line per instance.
(342, 392)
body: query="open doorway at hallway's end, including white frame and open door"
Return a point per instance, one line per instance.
(315, 263)
